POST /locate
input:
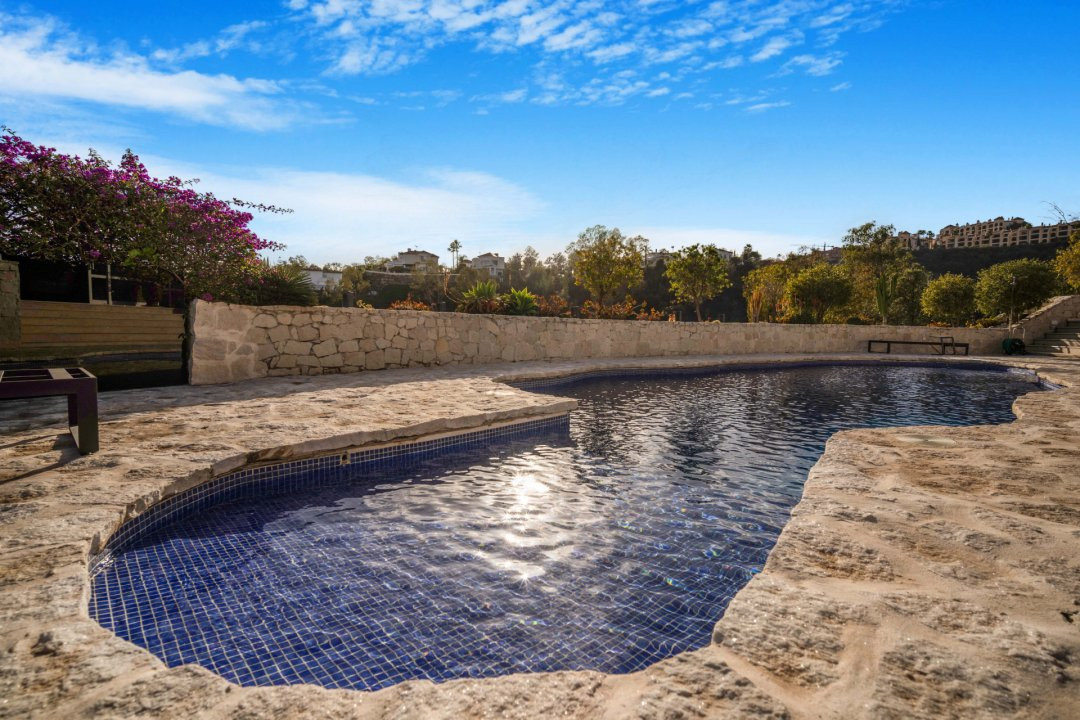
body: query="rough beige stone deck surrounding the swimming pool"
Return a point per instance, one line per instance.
(926, 574)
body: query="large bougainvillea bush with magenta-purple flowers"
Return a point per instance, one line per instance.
(83, 211)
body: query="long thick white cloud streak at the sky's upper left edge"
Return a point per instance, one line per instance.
(39, 60)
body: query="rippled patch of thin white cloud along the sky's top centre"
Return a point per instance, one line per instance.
(375, 37)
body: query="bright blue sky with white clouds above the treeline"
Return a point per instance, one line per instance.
(506, 124)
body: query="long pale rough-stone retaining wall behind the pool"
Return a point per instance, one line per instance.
(238, 343)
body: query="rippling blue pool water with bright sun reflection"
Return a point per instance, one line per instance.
(607, 548)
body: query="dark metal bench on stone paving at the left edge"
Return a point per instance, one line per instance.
(80, 388)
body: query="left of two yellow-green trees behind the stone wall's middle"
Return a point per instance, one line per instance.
(604, 263)
